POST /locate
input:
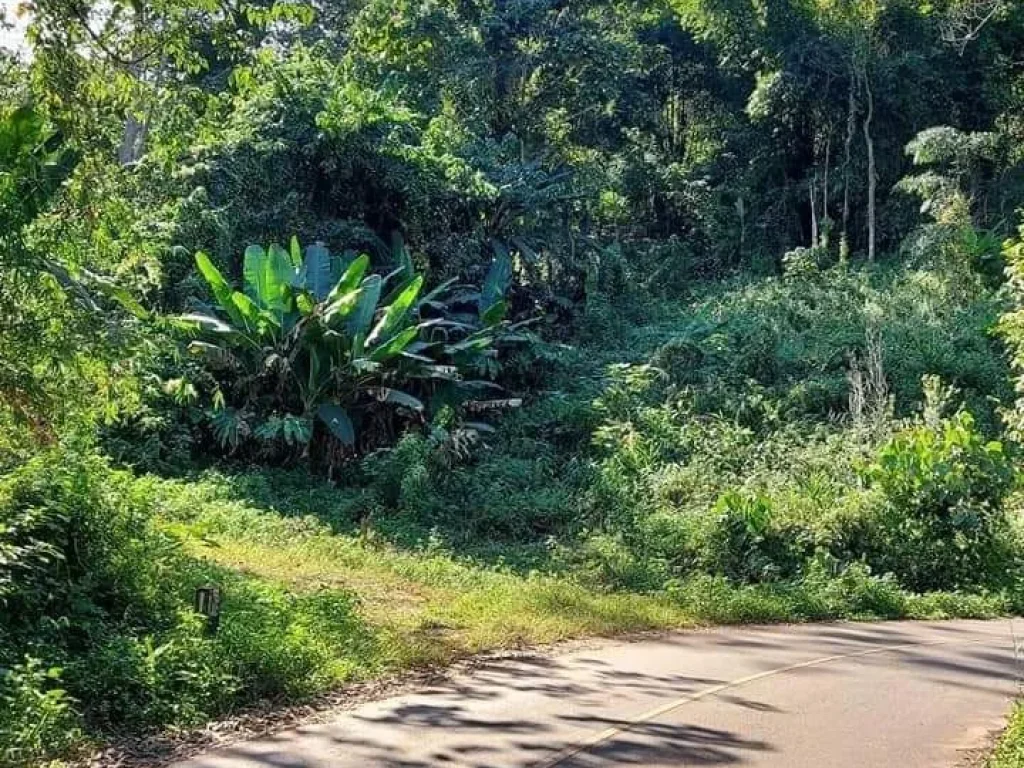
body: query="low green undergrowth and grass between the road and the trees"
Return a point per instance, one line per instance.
(773, 451)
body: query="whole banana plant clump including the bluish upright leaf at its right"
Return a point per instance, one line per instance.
(317, 342)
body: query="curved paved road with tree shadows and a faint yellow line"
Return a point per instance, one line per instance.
(865, 696)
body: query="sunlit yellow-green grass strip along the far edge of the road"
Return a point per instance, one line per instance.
(432, 607)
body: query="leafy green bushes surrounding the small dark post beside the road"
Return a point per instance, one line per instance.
(98, 633)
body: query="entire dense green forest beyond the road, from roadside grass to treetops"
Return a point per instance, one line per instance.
(423, 327)
